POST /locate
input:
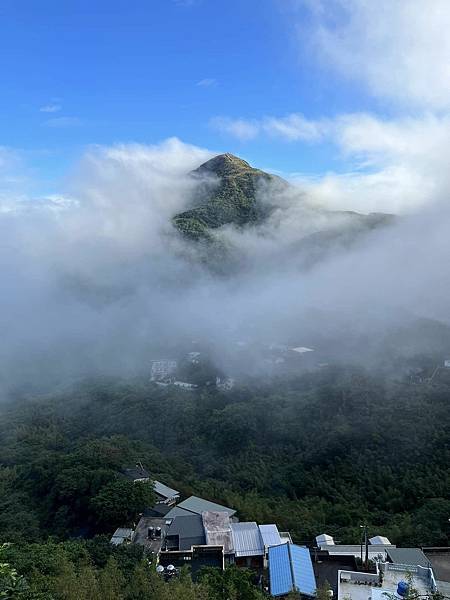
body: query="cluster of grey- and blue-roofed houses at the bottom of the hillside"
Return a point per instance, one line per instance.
(196, 533)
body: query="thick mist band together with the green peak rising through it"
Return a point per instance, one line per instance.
(100, 281)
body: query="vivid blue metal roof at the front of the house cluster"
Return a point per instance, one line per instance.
(290, 568)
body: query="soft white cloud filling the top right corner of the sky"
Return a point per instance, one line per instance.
(398, 48)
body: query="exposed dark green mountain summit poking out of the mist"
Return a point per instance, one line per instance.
(228, 194)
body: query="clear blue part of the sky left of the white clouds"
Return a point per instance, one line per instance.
(76, 73)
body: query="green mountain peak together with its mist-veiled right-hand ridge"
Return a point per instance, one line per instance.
(232, 193)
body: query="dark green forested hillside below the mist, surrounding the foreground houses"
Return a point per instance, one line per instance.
(321, 453)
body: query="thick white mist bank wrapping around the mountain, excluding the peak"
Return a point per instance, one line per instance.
(94, 278)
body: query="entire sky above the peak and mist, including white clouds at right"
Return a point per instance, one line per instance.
(340, 88)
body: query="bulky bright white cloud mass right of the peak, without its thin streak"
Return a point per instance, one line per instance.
(400, 163)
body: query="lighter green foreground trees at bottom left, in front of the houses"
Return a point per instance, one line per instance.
(95, 570)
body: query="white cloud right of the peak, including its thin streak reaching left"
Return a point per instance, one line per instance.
(393, 165)
